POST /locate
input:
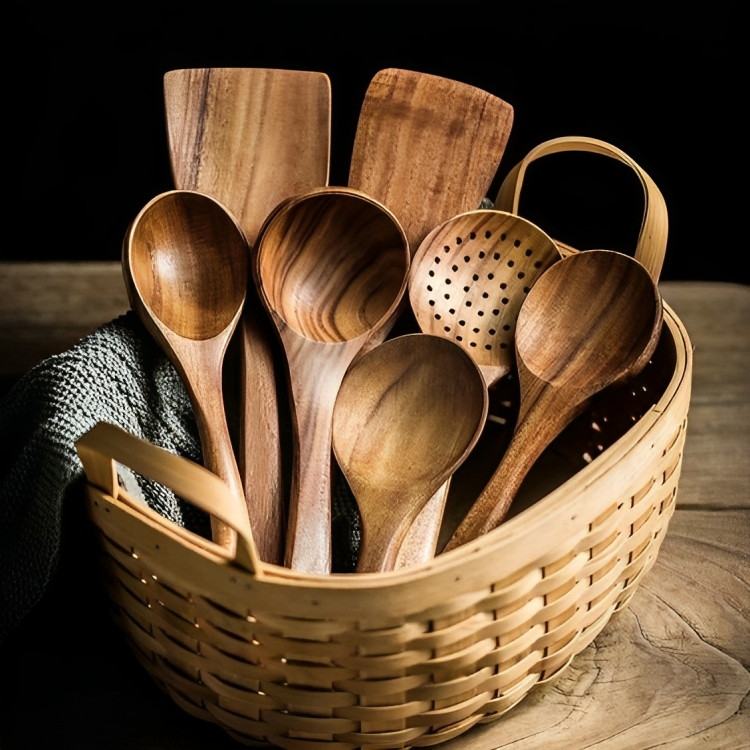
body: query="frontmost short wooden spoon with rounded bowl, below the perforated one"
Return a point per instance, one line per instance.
(406, 416)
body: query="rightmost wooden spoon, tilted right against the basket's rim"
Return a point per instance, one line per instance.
(591, 320)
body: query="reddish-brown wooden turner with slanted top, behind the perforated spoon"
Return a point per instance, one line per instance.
(428, 148)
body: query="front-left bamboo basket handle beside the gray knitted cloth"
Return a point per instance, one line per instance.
(106, 443)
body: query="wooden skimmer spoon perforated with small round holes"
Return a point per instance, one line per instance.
(467, 282)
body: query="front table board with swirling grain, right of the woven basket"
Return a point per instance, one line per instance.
(670, 671)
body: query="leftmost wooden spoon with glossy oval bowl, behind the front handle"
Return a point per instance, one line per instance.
(185, 262)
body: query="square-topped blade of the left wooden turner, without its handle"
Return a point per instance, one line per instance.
(248, 137)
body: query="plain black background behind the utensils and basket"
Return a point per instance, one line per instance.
(660, 80)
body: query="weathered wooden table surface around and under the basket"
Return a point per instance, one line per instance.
(670, 671)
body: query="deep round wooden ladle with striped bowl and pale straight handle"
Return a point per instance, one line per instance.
(331, 267)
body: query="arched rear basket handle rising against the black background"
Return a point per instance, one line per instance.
(652, 239)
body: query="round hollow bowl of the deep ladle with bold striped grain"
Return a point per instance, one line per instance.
(332, 264)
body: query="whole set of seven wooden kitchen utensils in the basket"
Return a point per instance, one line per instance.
(254, 240)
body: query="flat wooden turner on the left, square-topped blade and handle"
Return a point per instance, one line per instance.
(250, 138)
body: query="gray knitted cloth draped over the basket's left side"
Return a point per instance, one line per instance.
(117, 374)
